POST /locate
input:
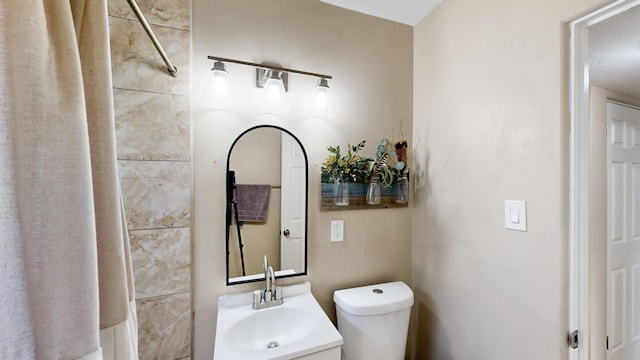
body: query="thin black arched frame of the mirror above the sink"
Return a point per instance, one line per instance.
(229, 196)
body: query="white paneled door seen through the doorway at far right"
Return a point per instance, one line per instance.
(623, 232)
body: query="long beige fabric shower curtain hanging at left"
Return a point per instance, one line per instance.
(66, 287)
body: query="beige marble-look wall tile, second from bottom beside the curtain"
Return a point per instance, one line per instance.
(161, 261)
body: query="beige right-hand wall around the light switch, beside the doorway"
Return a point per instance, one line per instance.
(491, 124)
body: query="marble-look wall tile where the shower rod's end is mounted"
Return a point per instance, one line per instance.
(136, 64)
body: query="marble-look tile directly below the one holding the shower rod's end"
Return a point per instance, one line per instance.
(151, 126)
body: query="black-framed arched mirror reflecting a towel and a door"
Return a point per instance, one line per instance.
(267, 184)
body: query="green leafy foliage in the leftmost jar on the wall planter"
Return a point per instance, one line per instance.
(350, 167)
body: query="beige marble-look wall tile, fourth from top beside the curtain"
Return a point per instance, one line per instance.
(157, 194)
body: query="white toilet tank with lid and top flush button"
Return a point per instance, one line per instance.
(373, 320)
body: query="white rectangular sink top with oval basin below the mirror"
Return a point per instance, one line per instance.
(296, 328)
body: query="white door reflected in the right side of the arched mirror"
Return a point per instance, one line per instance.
(292, 213)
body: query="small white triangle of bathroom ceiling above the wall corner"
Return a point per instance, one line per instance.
(408, 12)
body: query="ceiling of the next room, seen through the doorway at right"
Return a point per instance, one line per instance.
(614, 53)
